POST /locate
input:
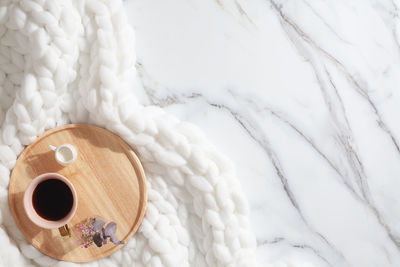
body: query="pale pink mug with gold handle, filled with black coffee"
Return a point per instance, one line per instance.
(42, 188)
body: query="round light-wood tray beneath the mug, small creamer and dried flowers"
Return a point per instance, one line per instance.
(107, 176)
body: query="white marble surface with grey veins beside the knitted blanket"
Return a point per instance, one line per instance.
(304, 97)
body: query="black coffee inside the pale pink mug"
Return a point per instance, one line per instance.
(52, 199)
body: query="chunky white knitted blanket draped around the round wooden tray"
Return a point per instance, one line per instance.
(67, 61)
